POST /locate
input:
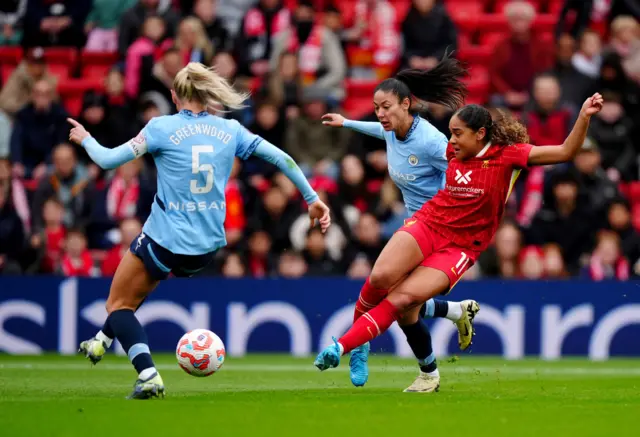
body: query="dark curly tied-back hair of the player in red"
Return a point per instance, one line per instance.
(504, 130)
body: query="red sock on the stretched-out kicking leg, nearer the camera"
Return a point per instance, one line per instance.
(371, 325)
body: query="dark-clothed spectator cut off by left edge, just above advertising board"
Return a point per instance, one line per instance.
(12, 232)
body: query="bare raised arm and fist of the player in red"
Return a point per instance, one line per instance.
(543, 155)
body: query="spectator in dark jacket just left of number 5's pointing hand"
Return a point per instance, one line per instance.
(39, 127)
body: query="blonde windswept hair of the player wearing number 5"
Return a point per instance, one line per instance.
(204, 85)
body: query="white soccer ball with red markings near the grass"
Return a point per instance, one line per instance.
(200, 352)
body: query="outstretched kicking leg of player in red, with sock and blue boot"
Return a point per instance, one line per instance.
(421, 285)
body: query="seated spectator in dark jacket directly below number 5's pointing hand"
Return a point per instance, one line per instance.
(70, 183)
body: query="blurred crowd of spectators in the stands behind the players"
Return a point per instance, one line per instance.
(59, 213)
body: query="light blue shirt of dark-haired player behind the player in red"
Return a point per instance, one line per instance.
(417, 164)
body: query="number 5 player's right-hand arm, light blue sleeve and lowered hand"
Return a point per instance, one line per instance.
(317, 209)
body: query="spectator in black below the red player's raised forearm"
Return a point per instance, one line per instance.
(566, 219)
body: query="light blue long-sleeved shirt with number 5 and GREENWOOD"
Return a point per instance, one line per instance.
(194, 155)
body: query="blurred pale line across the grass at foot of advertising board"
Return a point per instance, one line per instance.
(453, 369)
